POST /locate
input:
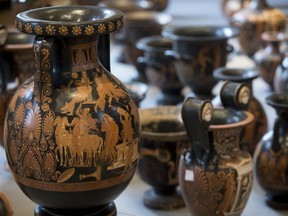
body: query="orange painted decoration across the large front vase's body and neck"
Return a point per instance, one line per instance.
(52, 140)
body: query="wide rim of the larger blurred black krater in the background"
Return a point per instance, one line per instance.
(200, 33)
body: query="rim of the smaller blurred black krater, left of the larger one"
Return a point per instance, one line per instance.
(155, 43)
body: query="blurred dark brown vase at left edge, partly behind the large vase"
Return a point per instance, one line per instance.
(16, 60)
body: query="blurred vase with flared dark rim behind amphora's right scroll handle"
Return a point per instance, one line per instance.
(254, 131)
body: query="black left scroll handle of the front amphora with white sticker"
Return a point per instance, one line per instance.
(196, 115)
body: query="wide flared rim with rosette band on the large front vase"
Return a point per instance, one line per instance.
(70, 21)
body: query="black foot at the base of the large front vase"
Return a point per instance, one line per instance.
(107, 210)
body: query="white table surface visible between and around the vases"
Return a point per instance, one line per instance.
(192, 12)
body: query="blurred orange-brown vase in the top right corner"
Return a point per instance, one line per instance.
(253, 21)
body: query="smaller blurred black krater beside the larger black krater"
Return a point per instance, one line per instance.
(160, 68)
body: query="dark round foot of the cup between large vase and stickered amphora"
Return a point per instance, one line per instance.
(160, 202)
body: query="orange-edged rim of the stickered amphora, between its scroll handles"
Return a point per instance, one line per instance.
(244, 118)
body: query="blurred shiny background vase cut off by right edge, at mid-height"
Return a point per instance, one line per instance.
(280, 82)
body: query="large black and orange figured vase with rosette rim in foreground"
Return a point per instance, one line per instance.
(72, 130)
